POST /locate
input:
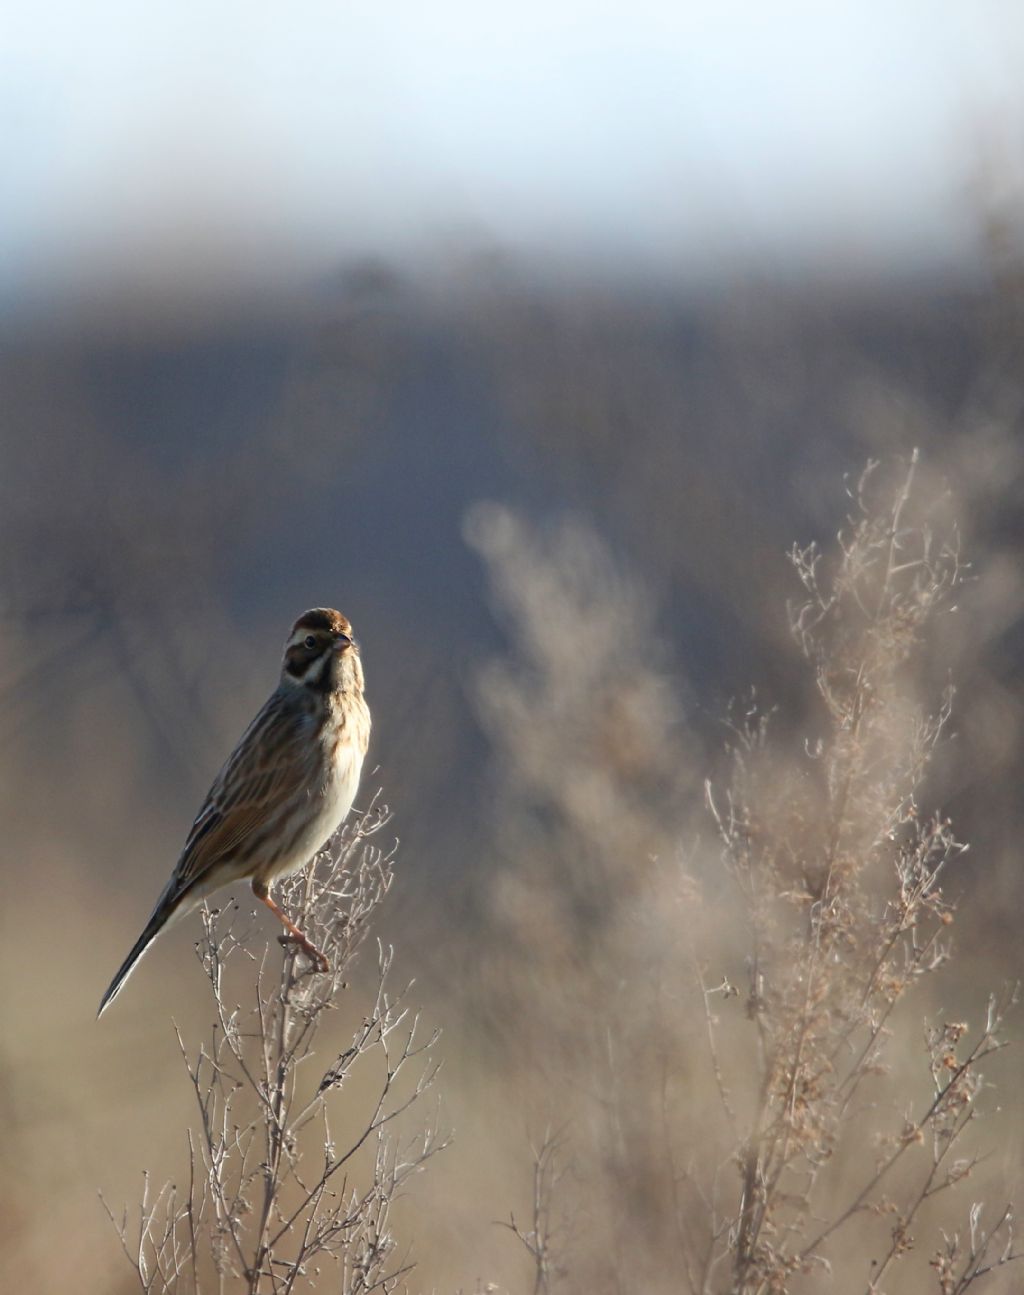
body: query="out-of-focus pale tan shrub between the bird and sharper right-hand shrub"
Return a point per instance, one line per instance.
(591, 776)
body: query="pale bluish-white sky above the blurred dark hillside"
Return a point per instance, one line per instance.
(148, 143)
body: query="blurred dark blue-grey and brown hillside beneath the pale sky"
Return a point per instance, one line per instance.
(170, 490)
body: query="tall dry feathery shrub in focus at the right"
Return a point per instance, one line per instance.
(840, 876)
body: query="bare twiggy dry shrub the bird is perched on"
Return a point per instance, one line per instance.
(295, 1166)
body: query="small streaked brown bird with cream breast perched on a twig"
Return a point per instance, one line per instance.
(284, 791)
